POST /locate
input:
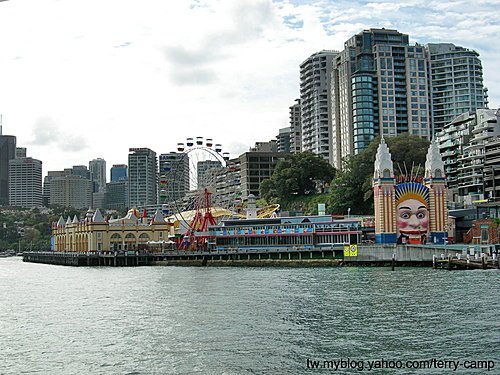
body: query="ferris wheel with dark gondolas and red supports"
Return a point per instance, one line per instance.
(194, 184)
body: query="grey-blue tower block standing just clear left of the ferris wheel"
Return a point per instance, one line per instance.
(143, 181)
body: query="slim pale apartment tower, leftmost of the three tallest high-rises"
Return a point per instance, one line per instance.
(316, 104)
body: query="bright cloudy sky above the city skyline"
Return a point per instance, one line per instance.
(86, 79)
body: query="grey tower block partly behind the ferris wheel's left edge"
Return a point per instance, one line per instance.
(174, 177)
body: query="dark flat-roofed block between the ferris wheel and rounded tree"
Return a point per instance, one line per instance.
(255, 167)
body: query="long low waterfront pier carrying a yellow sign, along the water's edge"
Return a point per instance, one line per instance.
(438, 256)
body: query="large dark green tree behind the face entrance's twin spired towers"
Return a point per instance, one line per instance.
(352, 188)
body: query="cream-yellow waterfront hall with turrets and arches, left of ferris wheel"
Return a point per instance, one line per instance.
(94, 233)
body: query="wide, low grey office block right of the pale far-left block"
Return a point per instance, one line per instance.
(71, 191)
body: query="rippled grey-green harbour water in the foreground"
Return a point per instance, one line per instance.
(190, 320)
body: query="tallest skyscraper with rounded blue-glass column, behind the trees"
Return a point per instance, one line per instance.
(379, 86)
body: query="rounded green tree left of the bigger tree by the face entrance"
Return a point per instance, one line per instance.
(298, 175)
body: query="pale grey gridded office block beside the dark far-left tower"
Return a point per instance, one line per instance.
(25, 182)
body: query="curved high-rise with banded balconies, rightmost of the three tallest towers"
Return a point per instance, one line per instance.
(456, 82)
